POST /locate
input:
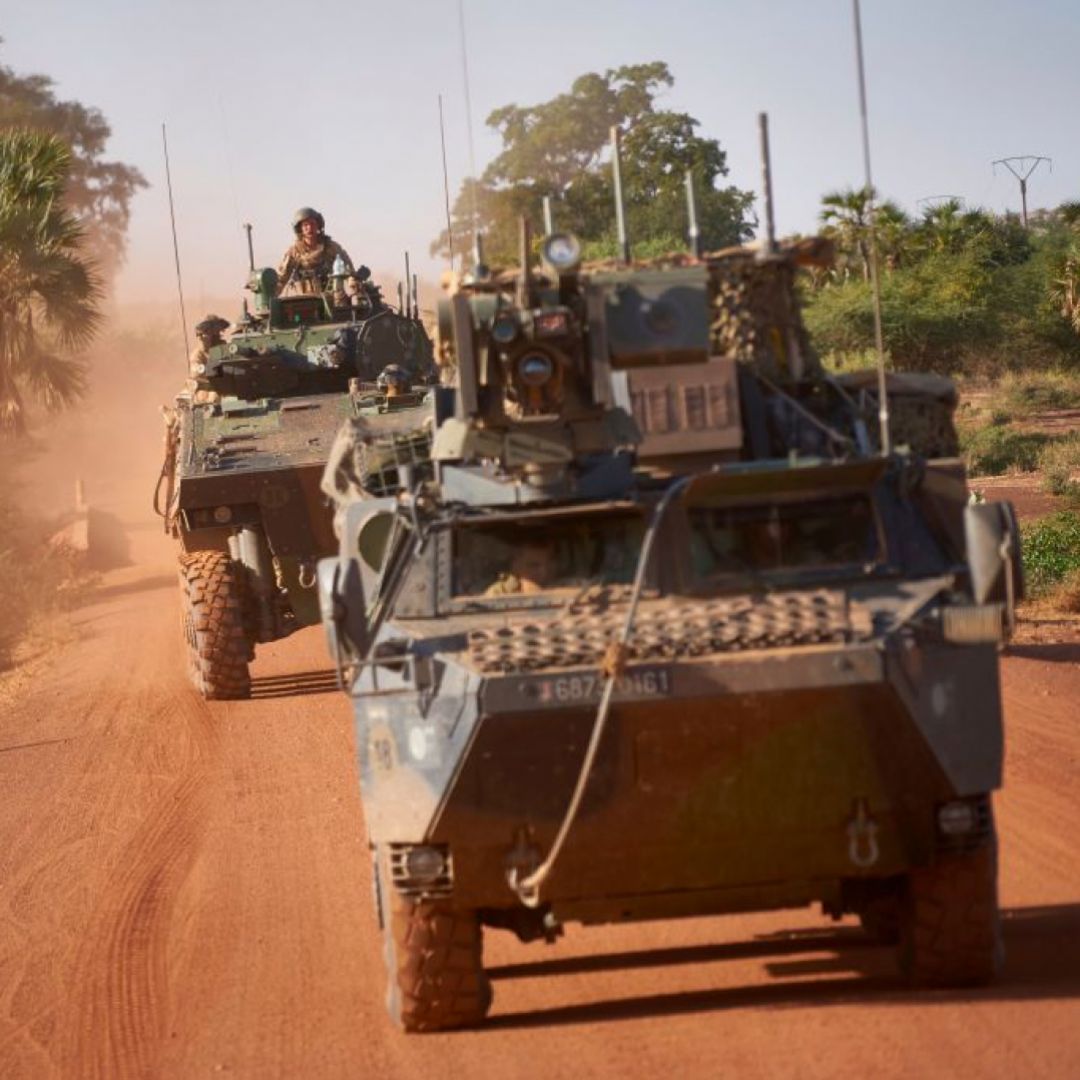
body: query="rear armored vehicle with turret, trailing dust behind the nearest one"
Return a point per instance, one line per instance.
(247, 445)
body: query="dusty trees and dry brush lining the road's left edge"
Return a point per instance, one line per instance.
(64, 214)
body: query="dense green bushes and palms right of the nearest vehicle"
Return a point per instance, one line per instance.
(958, 288)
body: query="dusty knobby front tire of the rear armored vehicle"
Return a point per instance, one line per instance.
(212, 620)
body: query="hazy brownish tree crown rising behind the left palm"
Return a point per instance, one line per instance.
(99, 193)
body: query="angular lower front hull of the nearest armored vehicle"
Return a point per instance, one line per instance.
(684, 814)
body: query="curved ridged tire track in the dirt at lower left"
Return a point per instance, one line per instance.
(124, 971)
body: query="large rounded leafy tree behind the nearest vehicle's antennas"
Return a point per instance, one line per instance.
(560, 150)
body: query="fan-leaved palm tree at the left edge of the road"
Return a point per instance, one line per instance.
(50, 293)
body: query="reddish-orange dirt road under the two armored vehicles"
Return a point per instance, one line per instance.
(185, 893)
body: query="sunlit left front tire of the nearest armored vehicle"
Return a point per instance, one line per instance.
(436, 977)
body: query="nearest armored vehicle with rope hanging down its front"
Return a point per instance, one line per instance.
(657, 633)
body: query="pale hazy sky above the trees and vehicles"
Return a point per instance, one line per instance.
(275, 105)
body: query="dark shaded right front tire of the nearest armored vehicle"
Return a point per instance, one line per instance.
(951, 926)
